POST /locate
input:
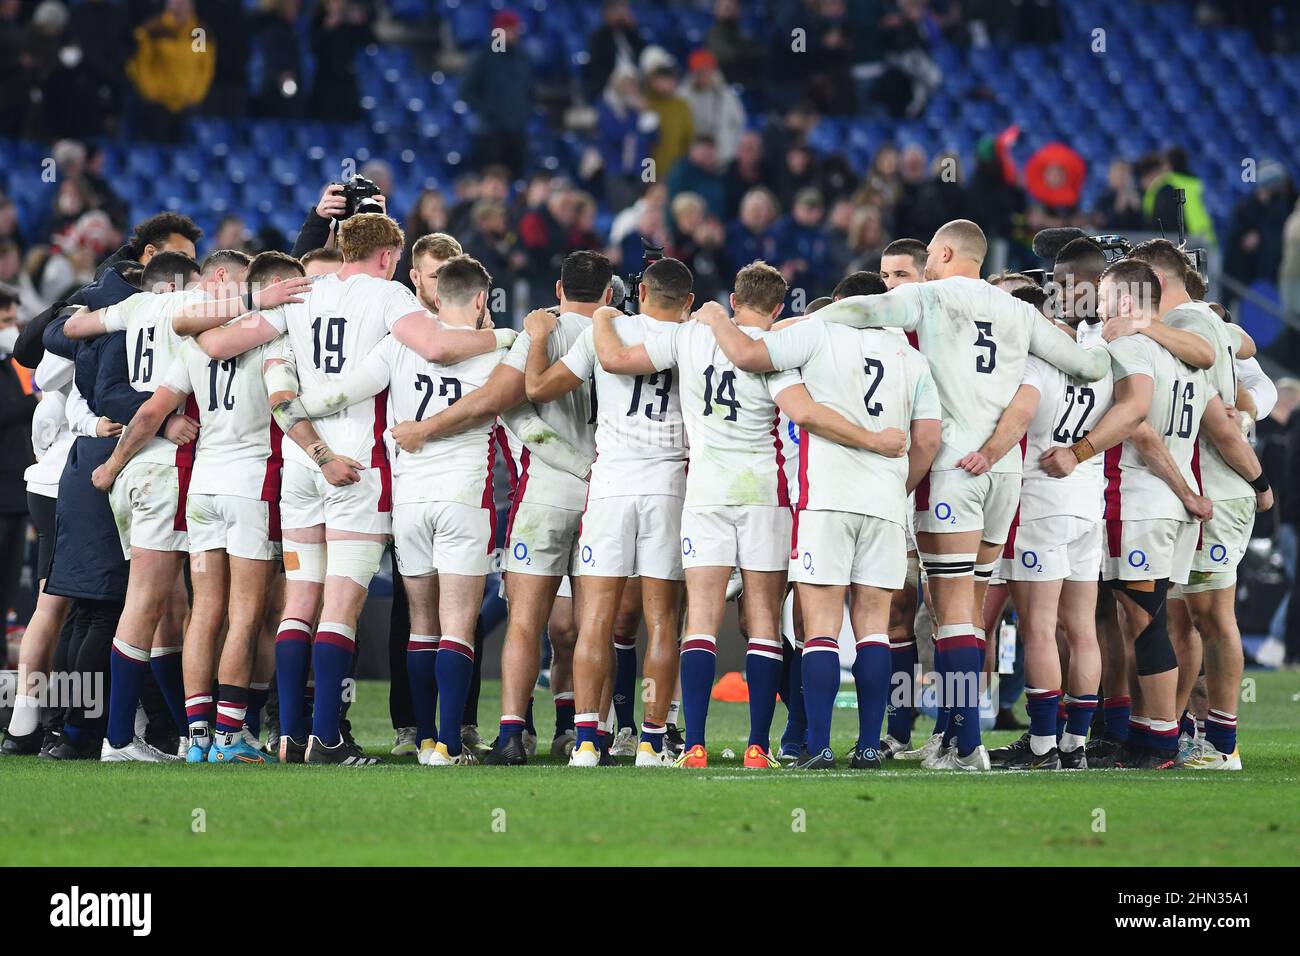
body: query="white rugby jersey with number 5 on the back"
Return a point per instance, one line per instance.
(977, 340)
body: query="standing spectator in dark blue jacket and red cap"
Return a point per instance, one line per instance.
(500, 88)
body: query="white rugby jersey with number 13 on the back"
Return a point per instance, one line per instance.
(640, 436)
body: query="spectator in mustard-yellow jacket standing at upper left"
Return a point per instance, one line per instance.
(168, 72)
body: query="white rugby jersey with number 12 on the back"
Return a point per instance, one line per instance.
(240, 447)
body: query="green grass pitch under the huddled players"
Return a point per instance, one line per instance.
(406, 815)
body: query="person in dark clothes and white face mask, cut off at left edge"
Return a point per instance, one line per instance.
(18, 404)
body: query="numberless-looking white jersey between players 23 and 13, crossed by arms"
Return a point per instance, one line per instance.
(573, 417)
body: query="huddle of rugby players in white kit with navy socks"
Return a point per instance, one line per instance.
(920, 435)
